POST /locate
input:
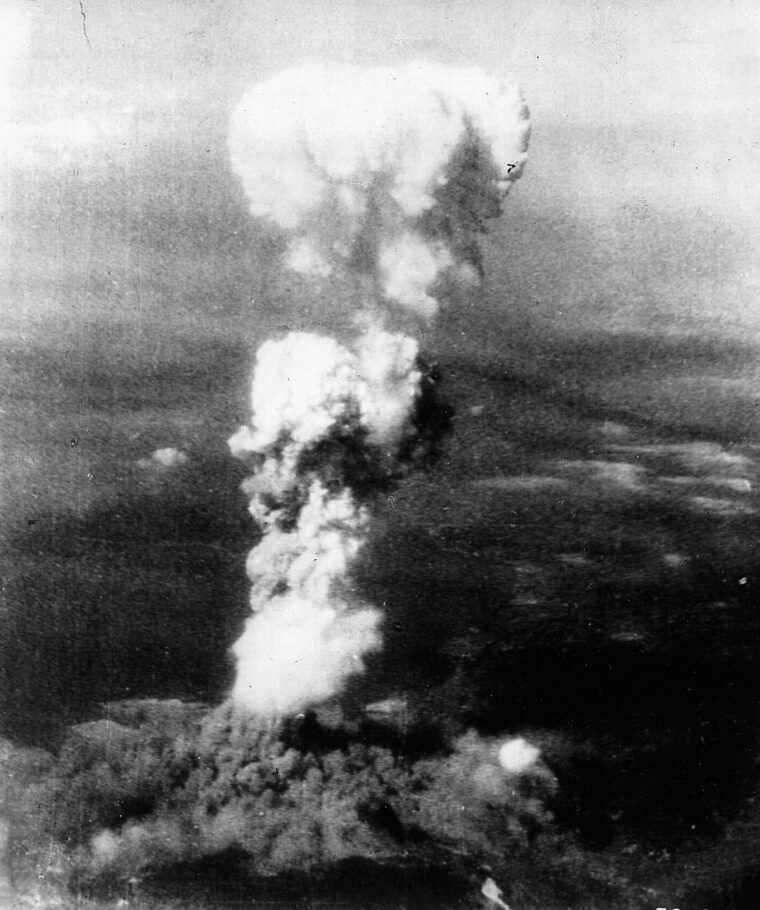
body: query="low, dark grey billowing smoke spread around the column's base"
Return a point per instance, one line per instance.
(163, 782)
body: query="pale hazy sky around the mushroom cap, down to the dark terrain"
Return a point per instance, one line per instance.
(123, 231)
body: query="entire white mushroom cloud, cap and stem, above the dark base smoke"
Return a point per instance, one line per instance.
(380, 181)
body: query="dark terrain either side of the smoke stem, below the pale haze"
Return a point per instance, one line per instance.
(576, 572)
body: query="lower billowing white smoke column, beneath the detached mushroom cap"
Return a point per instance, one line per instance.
(316, 405)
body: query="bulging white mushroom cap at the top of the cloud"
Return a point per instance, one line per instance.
(357, 166)
